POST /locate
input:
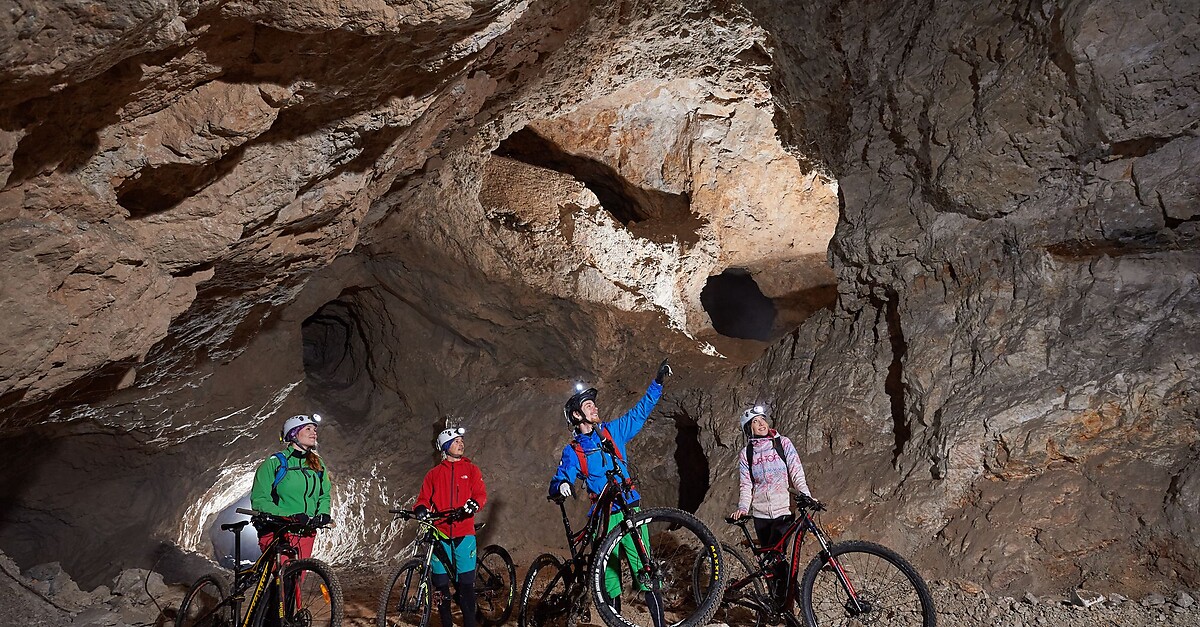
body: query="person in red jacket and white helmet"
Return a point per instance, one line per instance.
(454, 486)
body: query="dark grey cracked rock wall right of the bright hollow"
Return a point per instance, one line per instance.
(1011, 367)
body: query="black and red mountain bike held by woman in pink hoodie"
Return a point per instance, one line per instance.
(847, 583)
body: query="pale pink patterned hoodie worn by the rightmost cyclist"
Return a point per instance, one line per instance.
(766, 494)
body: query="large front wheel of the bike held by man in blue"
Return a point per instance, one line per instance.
(645, 566)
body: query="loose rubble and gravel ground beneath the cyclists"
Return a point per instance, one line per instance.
(46, 596)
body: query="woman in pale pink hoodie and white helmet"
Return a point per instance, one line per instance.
(766, 470)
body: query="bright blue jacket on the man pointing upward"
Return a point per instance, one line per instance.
(622, 431)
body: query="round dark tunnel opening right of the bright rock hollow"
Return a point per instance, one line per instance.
(737, 307)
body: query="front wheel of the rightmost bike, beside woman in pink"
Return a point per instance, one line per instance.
(886, 589)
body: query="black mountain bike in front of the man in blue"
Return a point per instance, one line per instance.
(655, 551)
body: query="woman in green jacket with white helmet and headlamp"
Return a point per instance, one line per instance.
(302, 491)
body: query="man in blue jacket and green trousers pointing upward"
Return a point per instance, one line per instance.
(584, 417)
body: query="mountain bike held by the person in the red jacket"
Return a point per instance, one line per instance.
(411, 598)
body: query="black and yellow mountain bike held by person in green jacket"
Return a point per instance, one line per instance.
(291, 593)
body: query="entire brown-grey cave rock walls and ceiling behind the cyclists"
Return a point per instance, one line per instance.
(970, 234)
